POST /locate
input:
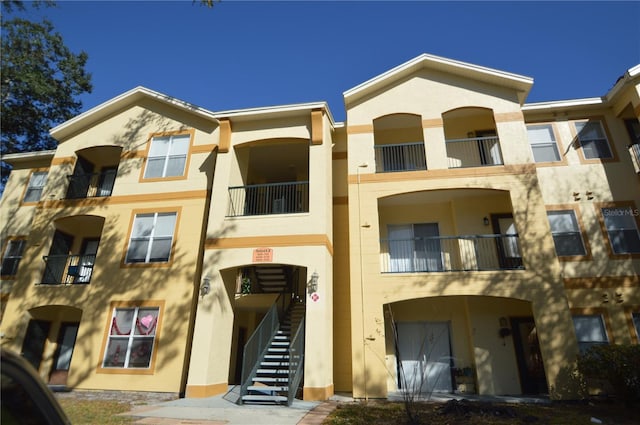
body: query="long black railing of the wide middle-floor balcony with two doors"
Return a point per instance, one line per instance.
(451, 253)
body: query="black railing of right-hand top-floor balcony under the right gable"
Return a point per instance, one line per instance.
(474, 152)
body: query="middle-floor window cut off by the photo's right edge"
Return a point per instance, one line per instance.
(622, 230)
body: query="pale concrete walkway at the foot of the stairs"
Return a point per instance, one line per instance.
(218, 411)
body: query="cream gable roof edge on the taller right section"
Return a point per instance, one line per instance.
(522, 84)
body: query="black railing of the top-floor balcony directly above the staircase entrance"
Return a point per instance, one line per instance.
(271, 198)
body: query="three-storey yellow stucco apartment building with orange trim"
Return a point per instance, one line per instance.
(446, 237)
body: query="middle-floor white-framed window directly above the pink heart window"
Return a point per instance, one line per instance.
(151, 238)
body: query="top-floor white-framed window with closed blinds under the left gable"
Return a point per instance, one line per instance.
(167, 156)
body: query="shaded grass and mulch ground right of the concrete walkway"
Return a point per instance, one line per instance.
(477, 413)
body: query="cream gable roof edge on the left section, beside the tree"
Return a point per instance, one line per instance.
(117, 103)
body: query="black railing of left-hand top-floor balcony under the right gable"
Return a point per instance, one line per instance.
(400, 157)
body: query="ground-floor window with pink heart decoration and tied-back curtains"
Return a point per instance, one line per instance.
(132, 335)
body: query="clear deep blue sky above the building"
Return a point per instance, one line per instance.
(244, 54)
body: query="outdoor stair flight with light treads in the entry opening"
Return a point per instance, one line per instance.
(270, 383)
